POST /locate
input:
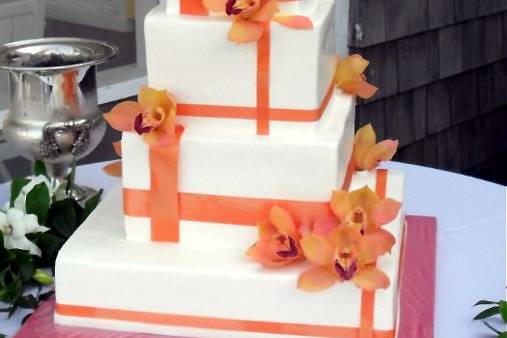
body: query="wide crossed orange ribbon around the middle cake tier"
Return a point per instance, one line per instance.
(166, 206)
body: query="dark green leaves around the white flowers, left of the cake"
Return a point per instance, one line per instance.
(18, 268)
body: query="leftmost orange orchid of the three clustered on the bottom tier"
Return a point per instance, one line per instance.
(278, 243)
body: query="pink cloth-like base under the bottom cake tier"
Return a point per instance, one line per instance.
(417, 293)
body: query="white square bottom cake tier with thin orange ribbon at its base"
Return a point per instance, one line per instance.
(195, 290)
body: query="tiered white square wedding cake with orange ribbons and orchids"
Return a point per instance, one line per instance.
(247, 207)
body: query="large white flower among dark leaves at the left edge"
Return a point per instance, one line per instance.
(14, 225)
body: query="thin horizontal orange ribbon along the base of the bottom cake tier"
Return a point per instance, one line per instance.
(214, 323)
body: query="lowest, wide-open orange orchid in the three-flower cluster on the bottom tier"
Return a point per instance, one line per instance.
(345, 255)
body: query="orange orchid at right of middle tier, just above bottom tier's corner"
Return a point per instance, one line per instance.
(368, 153)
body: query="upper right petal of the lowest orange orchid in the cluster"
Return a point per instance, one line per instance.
(375, 244)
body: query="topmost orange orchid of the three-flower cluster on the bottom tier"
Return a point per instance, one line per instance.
(363, 209)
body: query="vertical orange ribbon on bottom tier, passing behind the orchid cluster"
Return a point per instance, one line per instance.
(368, 297)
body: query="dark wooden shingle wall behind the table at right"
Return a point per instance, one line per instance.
(441, 69)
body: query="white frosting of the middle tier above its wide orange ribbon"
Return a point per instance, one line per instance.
(298, 161)
